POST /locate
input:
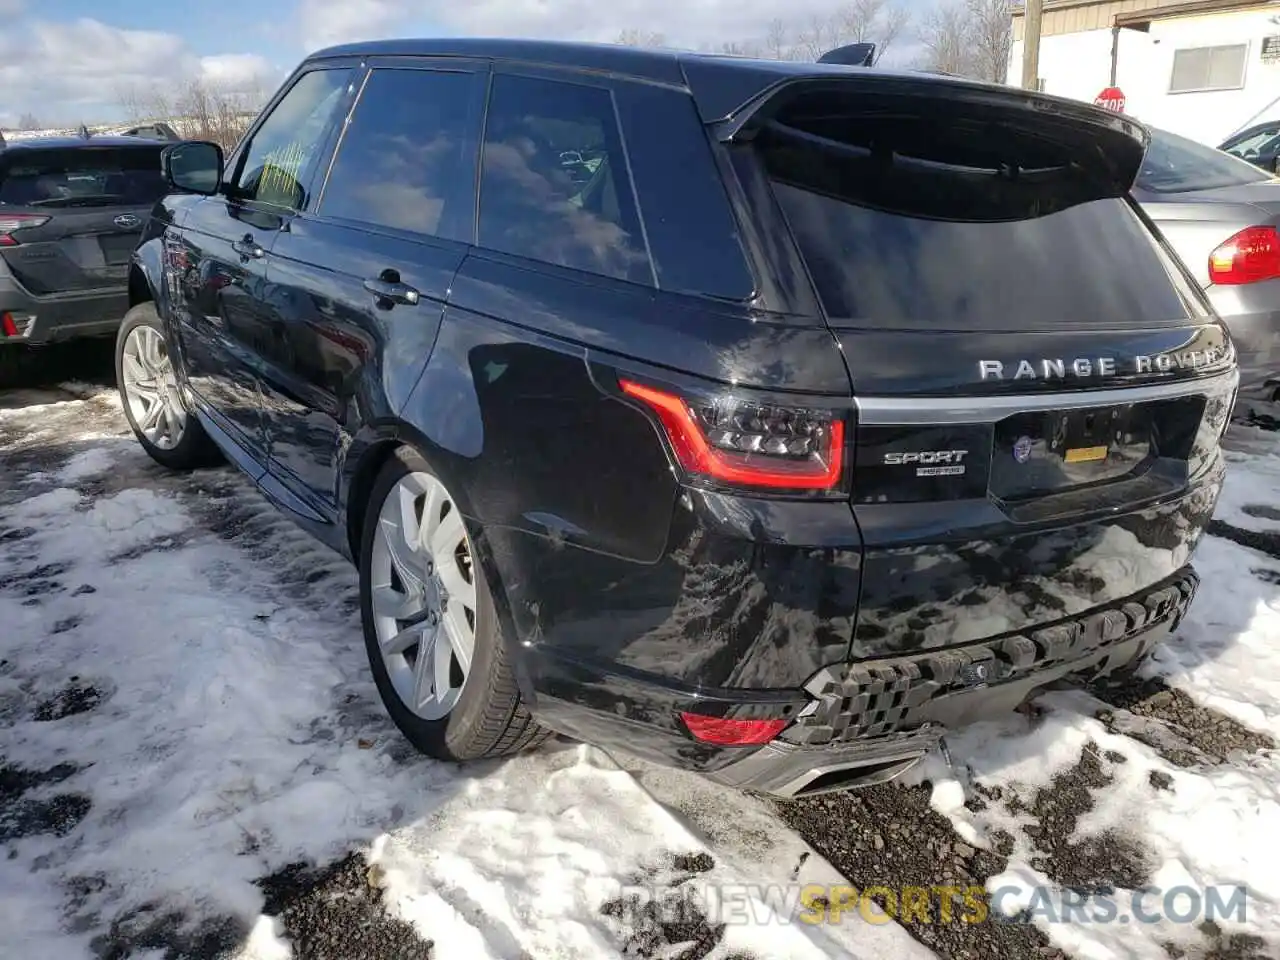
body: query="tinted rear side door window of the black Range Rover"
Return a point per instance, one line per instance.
(408, 159)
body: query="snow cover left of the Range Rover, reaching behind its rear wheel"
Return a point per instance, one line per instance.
(184, 675)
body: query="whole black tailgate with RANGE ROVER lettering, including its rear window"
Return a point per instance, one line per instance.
(1039, 383)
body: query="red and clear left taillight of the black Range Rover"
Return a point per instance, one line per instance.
(749, 445)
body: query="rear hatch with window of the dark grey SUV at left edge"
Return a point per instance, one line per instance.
(86, 208)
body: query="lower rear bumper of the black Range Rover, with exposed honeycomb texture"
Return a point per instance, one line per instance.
(860, 724)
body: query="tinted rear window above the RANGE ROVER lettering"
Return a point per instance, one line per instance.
(897, 234)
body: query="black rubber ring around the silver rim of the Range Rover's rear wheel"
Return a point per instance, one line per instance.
(452, 738)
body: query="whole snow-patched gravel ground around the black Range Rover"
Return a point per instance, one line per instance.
(194, 764)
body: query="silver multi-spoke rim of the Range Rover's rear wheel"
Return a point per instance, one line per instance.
(424, 596)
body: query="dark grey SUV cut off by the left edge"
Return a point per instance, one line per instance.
(72, 211)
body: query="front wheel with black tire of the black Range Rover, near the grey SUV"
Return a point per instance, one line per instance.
(179, 449)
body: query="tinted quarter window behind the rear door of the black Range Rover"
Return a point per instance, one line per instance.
(555, 182)
